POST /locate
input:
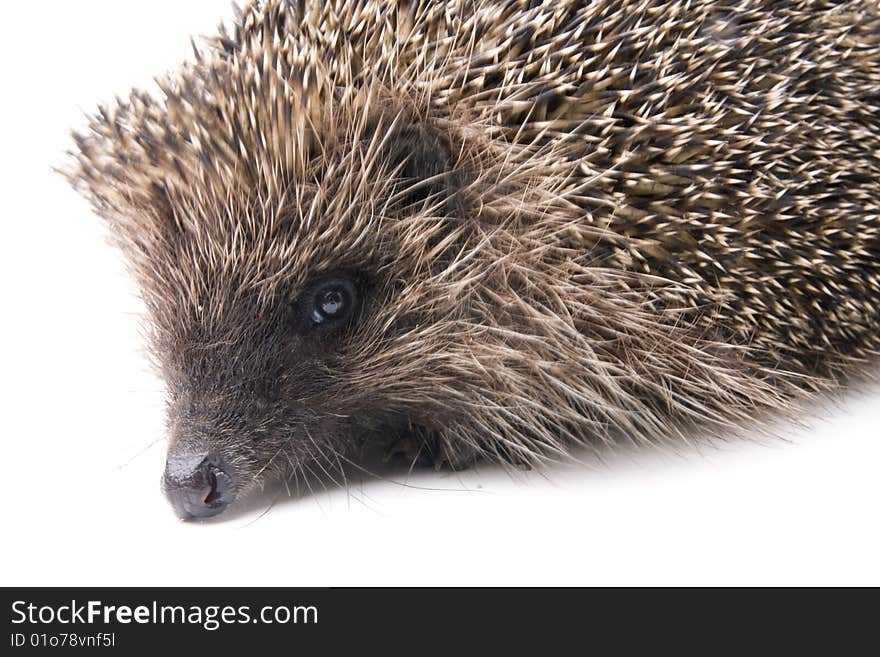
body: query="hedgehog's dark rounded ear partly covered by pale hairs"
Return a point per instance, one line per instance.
(425, 168)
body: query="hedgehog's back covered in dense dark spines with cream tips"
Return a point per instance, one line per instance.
(733, 148)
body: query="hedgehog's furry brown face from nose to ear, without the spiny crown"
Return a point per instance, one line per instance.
(302, 333)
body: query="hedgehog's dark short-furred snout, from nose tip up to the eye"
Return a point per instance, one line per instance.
(264, 386)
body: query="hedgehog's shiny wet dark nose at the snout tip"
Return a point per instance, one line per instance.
(198, 485)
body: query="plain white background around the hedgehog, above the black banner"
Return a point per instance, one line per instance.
(82, 417)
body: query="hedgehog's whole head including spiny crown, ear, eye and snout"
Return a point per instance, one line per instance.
(304, 260)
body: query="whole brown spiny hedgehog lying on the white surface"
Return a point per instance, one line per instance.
(495, 230)
